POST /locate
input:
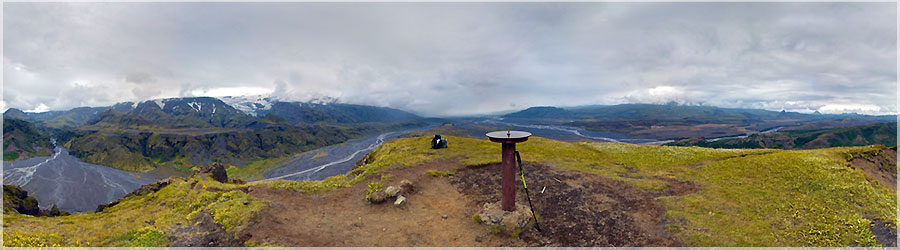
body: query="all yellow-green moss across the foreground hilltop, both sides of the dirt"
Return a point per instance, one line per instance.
(746, 197)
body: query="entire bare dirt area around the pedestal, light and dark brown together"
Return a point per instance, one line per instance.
(577, 209)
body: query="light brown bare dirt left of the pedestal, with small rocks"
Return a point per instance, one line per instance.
(344, 218)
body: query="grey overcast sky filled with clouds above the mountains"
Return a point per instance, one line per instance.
(456, 58)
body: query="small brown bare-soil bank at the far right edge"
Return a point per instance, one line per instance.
(882, 167)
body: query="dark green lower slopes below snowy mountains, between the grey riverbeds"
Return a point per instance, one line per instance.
(250, 151)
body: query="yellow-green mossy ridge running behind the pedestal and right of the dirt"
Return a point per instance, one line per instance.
(747, 197)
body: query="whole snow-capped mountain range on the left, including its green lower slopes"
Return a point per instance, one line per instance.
(183, 133)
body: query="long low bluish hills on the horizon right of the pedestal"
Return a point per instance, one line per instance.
(654, 121)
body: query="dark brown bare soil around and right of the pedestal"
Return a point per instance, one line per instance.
(578, 209)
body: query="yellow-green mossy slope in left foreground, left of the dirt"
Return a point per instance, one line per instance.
(145, 220)
